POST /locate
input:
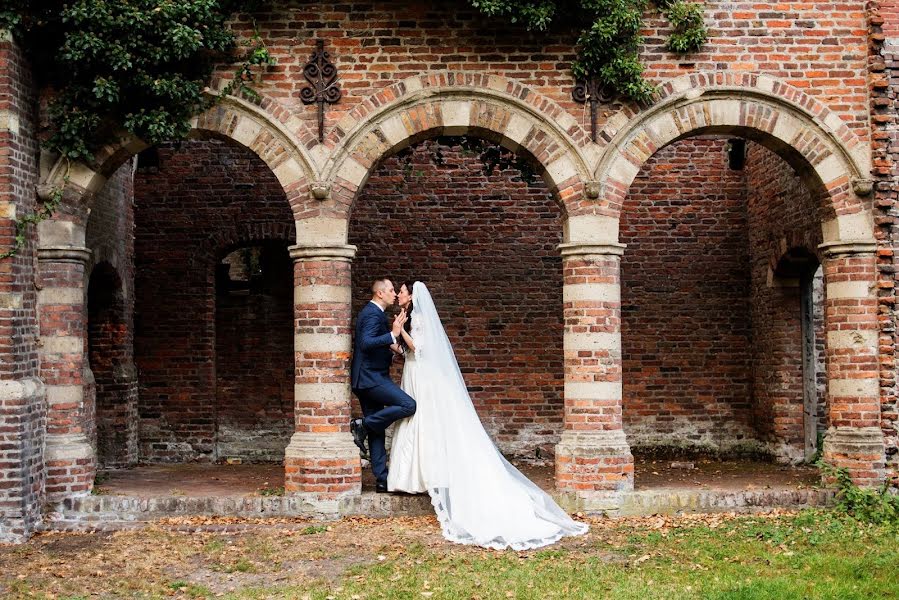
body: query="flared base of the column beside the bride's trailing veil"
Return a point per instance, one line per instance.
(593, 468)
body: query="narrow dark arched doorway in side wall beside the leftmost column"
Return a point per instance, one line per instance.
(109, 337)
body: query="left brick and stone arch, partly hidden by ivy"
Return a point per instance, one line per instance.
(232, 118)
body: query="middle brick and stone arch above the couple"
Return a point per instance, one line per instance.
(487, 113)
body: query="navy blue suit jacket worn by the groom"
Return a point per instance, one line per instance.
(371, 349)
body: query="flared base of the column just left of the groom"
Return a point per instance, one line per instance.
(322, 468)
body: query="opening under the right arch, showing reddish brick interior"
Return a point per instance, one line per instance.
(720, 353)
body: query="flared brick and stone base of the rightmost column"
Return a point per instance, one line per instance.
(860, 450)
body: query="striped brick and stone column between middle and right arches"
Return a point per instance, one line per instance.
(593, 460)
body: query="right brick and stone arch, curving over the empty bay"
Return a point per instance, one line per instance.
(831, 160)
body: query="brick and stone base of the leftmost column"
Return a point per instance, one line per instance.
(71, 466)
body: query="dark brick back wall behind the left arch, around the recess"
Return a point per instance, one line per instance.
(203, 200)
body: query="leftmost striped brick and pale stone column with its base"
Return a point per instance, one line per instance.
(70, 457)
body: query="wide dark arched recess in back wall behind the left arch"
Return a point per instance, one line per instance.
(254, 361)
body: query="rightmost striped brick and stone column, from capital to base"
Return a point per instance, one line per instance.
(854, 440)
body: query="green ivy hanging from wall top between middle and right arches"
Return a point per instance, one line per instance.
(608, 45)
